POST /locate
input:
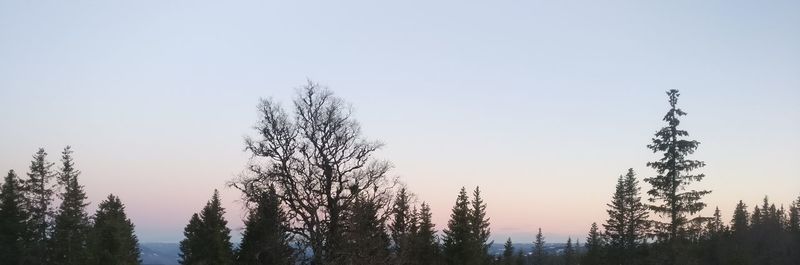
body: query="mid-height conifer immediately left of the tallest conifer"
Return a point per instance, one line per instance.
(627, 224)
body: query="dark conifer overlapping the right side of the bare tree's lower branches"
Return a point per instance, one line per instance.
(366, 239)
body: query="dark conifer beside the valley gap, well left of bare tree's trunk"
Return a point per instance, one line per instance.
(208, 239)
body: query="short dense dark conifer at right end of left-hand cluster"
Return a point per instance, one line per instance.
(112, 240)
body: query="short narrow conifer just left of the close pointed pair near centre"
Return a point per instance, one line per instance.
(426, 244)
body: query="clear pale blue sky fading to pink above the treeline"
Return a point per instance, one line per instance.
(543, 104)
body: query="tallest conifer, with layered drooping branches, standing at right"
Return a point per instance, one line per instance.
(670, 194)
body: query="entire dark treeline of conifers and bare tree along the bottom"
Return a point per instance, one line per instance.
(316, 194)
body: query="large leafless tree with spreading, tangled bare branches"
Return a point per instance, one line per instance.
(318, 163)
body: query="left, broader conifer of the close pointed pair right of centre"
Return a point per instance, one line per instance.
(458, 234)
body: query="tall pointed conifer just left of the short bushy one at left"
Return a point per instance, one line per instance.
(71, 229)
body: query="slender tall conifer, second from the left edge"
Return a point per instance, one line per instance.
(39, 194)
